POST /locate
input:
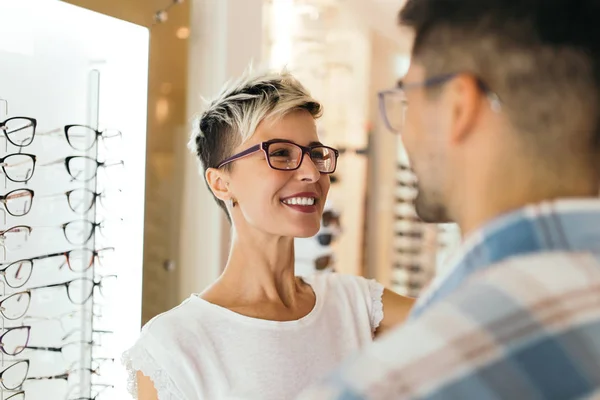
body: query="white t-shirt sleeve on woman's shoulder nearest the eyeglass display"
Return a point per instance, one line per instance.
(149, 356)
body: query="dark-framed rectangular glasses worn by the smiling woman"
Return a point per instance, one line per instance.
(284, 155)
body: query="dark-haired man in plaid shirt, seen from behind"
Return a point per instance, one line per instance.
(499, 113)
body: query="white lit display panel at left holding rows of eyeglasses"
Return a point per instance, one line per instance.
(71, 214)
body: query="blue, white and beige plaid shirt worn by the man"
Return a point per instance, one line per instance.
(520, 318)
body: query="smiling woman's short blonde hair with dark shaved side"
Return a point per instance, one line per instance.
(232, 117)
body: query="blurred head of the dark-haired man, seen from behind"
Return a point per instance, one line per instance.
(503, 90)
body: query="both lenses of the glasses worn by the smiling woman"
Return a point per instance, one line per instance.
(288, 156)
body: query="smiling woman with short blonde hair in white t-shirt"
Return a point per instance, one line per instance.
(260, 332)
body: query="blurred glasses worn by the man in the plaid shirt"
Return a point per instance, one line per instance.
(393, 102)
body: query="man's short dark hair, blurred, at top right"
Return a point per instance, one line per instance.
(541, 57)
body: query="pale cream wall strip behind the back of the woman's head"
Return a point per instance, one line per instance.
(225, 36)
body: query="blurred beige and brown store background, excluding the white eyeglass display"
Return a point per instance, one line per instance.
(344, 51)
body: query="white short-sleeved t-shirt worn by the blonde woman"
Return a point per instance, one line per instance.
(200, 351)
